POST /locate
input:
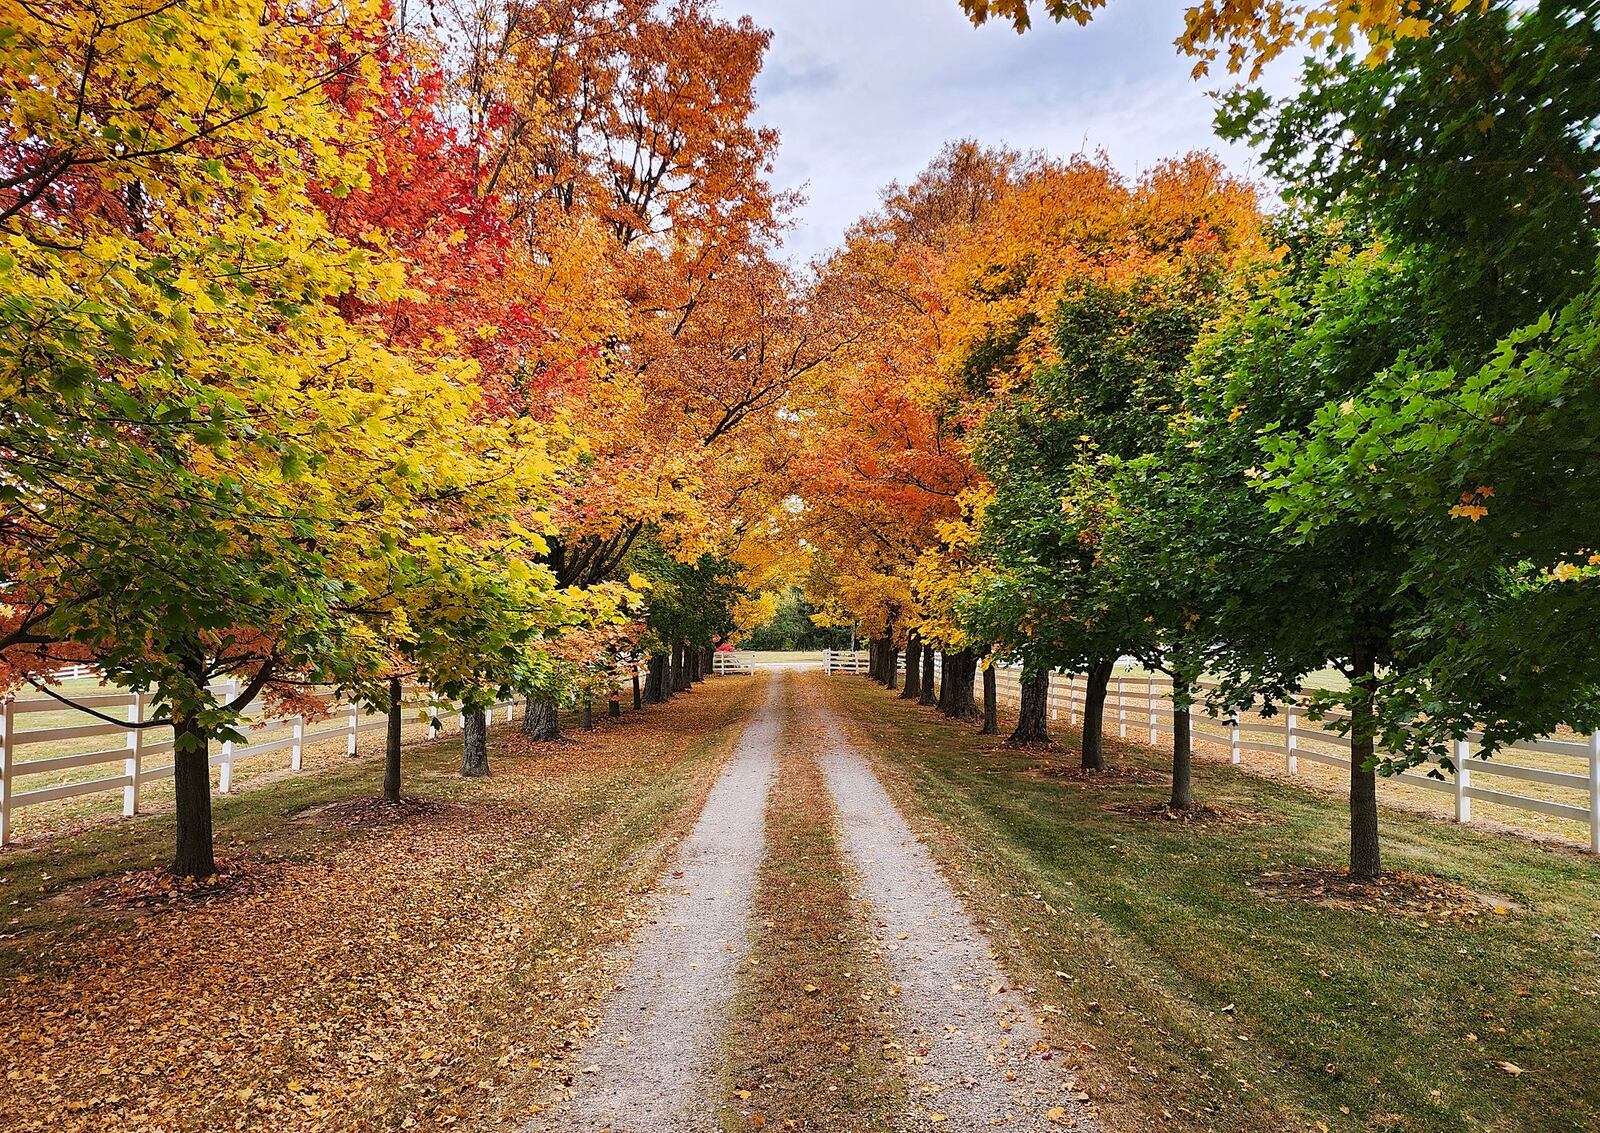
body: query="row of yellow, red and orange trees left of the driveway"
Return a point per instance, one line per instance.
(340, 353)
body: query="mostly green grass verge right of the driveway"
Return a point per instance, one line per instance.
(1198, 1001)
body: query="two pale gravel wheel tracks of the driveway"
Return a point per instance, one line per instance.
(974, 1052)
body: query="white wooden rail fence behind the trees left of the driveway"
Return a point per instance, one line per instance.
(146, 755)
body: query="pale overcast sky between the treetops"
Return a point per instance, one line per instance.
(866, 92)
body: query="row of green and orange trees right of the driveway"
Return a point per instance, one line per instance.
(1150, 420)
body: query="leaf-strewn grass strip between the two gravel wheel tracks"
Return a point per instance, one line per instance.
(810, 1046)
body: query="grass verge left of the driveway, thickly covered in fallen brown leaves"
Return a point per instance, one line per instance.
(359, 969)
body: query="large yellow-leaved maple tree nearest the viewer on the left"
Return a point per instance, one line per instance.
(215, 458)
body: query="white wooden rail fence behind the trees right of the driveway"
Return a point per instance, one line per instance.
(1142, 708)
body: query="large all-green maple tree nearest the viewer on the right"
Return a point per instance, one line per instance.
(1455, 447)
